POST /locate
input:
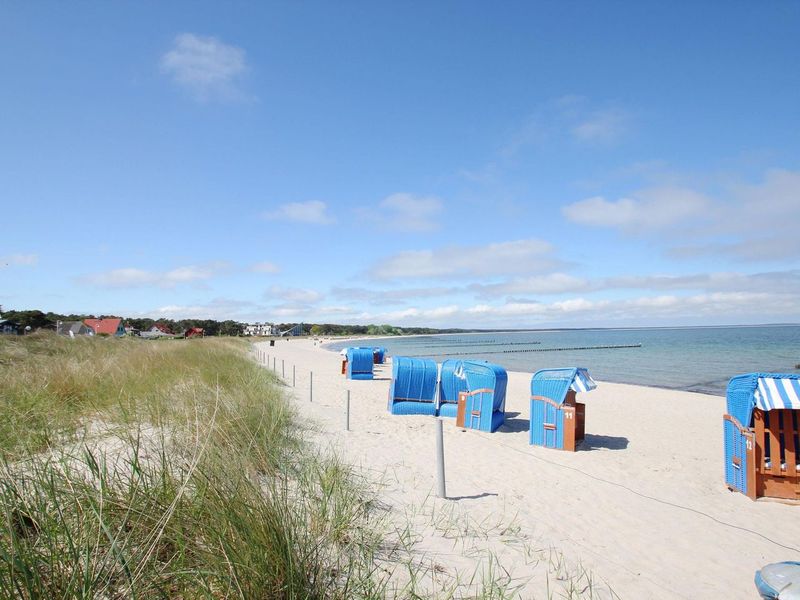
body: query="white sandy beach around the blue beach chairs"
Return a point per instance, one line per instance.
(625, 510)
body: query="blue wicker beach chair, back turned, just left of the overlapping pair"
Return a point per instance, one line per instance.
(413, 388)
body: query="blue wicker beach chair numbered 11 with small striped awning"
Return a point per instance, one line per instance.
(557, 419)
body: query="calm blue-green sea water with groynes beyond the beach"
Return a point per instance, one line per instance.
(700, 359)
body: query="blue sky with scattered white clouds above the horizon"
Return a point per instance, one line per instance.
(440, 164)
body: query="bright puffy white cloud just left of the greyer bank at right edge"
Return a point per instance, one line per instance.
(655, 208)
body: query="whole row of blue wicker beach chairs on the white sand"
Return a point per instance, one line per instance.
(761, 426)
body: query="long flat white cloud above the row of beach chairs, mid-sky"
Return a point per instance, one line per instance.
(521, 256)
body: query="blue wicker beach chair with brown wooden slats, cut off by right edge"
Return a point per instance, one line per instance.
(761, 435)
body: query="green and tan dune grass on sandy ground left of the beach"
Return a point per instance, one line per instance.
(141, 470)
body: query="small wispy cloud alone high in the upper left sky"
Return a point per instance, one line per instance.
(206, 66)
